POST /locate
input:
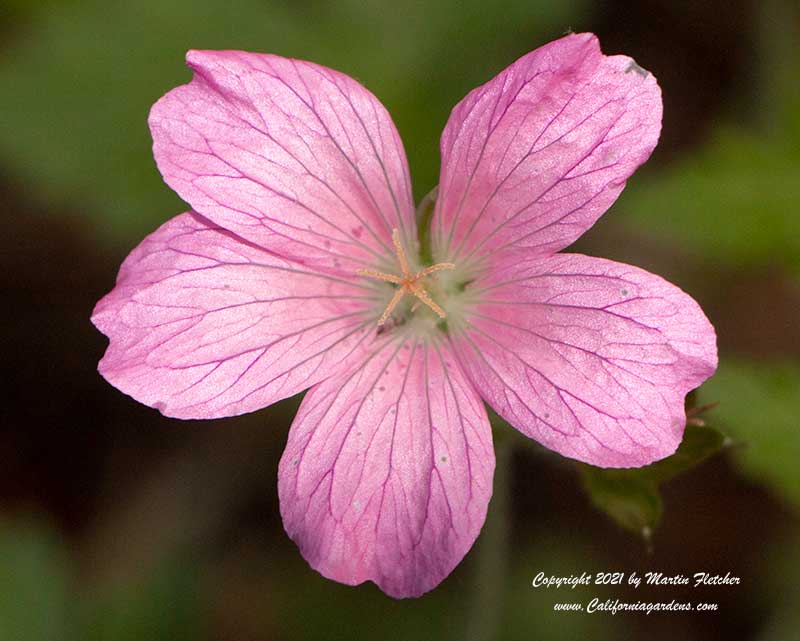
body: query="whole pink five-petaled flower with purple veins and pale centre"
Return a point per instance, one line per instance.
(300, 267)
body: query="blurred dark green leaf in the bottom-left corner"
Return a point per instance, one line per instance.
(35, 602)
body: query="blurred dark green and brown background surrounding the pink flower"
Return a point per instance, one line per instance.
(117, 523)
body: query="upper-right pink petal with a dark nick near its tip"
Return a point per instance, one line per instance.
(535, 156)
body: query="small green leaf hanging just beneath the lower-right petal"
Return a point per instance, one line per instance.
(631, 497)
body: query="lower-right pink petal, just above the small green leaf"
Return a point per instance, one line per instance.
(589, 357)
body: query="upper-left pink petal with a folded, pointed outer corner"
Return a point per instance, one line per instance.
(297, 158)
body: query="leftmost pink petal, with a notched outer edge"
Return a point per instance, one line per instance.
(202, 324)
